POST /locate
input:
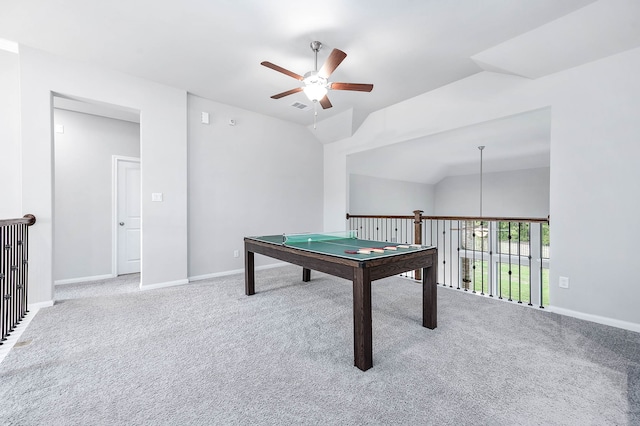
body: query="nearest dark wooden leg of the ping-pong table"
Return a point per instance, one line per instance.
(362, 335)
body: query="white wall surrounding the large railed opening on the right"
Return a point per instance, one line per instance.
(593, 174)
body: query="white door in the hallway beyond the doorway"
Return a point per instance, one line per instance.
(128, 216)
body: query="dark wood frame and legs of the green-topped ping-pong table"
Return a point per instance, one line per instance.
(361, 273)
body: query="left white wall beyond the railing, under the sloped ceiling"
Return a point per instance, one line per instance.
(376, 196)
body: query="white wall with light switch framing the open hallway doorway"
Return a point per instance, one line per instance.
(163, 152)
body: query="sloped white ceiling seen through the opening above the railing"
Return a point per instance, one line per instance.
(511, 143)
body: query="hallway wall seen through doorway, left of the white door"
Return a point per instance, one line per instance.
(83, 191)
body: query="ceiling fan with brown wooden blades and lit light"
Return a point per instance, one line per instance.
(316, 83)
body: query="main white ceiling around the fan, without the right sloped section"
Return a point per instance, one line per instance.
(213, 48)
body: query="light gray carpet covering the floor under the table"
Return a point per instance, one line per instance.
(206, 354)
